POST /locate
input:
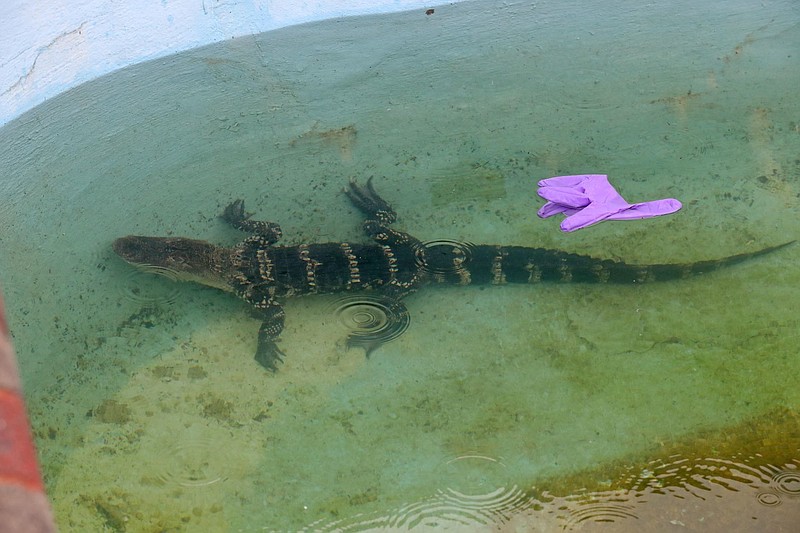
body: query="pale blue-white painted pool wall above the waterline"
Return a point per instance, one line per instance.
(48, 51)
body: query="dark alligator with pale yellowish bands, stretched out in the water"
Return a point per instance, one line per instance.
(394, 266)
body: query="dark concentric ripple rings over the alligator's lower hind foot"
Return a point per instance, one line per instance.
(370, 321)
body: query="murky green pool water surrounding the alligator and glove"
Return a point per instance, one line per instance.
(519, 408)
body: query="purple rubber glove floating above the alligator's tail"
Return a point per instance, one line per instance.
(589, 198)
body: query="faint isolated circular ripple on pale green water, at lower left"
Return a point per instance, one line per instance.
(195, 463)
